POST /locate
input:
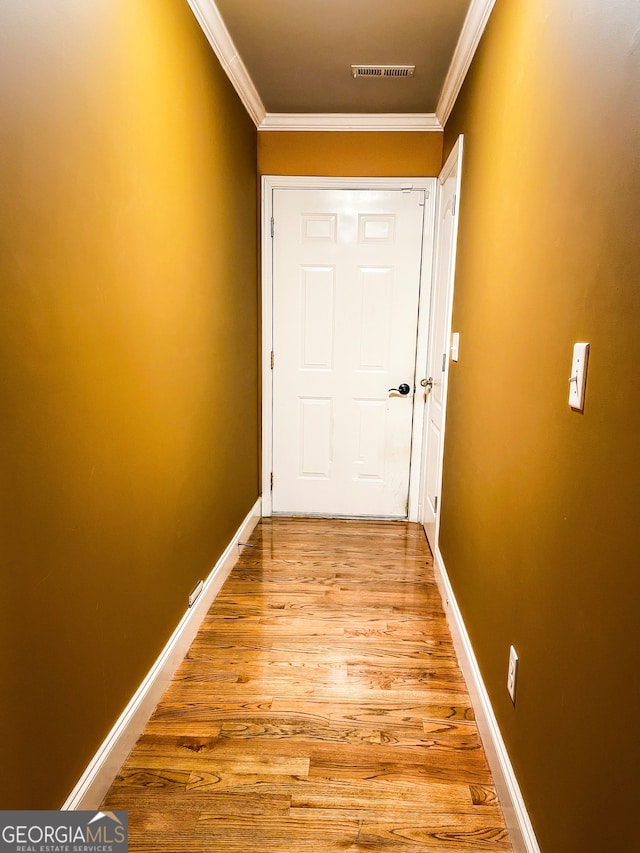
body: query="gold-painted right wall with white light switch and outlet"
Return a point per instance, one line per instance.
(540, 504)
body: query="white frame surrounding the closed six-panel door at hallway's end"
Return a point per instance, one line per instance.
(273, 182)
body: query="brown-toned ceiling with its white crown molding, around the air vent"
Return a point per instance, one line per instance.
(290, 60)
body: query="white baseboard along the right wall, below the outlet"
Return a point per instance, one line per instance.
(516, 817)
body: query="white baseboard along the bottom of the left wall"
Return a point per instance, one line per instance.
(96, 780)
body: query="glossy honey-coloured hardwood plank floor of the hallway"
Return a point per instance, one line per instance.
(320, 708)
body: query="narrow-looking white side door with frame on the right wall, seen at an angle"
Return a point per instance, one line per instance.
(447, 205)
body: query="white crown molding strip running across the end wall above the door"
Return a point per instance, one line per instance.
(351, 121)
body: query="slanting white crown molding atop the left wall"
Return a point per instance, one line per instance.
(208, 16)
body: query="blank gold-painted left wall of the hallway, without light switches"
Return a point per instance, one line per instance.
(128, 360)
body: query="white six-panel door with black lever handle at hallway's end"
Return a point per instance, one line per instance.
(346, 281)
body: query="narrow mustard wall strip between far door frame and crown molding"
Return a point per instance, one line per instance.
(350, 154)
